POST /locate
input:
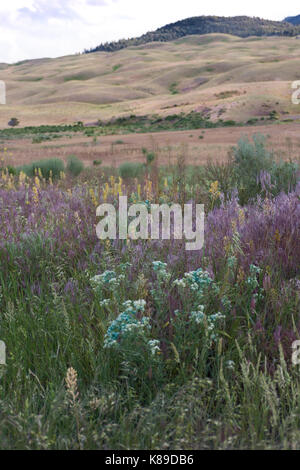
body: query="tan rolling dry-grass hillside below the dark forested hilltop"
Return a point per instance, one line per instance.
(221, 75)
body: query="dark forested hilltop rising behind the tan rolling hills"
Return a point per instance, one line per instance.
(242, 26)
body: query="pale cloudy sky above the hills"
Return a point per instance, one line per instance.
(51, 28)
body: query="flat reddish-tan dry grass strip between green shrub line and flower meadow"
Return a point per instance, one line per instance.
(114, 150)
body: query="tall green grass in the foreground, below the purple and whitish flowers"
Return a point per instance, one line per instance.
(127, 400)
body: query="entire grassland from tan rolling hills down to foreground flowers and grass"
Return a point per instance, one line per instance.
(140, 344)
